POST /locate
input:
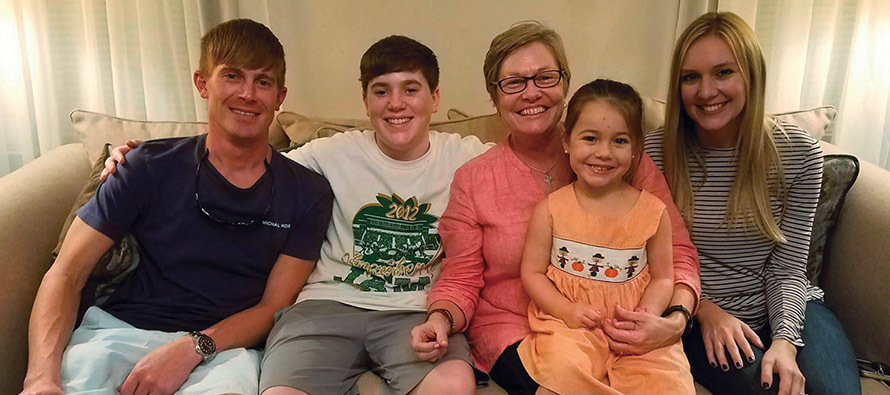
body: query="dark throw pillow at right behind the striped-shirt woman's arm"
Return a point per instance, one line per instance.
(838, 175)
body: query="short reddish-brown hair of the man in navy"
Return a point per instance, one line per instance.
(242, 43)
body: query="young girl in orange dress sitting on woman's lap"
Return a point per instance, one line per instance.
(595, 244)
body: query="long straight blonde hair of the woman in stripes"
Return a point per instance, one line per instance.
(759, 175)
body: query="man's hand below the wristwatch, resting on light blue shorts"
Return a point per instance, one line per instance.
(163, 370)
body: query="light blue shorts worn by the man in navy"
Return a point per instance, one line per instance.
(104, 349)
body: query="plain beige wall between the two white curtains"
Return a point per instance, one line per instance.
(629, 41)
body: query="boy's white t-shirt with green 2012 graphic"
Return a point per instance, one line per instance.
(382, 247)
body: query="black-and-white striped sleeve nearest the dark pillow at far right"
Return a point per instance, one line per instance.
(786, 283)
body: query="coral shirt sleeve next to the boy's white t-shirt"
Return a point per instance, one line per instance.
(460, 279)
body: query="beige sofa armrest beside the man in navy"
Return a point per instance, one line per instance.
(34, 203)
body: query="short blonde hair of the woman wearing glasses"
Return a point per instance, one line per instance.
(519, 35)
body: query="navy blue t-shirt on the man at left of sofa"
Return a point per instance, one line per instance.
(194, 271)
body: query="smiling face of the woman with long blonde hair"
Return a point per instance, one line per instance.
(713, 91)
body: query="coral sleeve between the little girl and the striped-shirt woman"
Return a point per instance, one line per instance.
(686, 269)
